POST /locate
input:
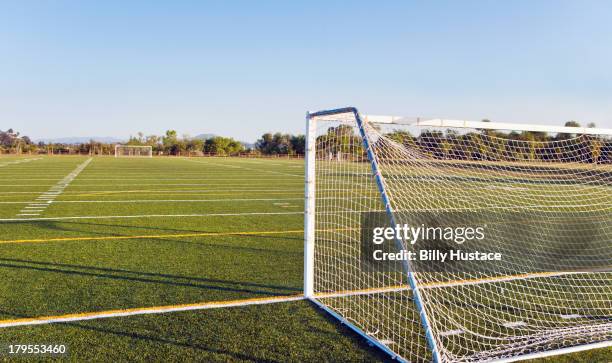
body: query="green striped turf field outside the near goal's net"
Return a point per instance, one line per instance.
(135, 233)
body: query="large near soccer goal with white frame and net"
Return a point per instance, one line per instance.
(539, 197)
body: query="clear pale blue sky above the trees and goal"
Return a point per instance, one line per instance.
(241, 68)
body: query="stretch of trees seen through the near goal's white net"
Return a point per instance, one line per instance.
(481, 144)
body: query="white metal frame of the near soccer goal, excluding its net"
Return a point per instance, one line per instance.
(310, 212)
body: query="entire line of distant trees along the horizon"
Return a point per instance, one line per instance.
(450, 144)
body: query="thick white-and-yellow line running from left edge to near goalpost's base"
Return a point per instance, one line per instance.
(146, 310)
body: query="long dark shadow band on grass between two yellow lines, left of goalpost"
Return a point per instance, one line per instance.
(134, 276)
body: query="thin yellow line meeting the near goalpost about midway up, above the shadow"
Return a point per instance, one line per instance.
(200, 234)
